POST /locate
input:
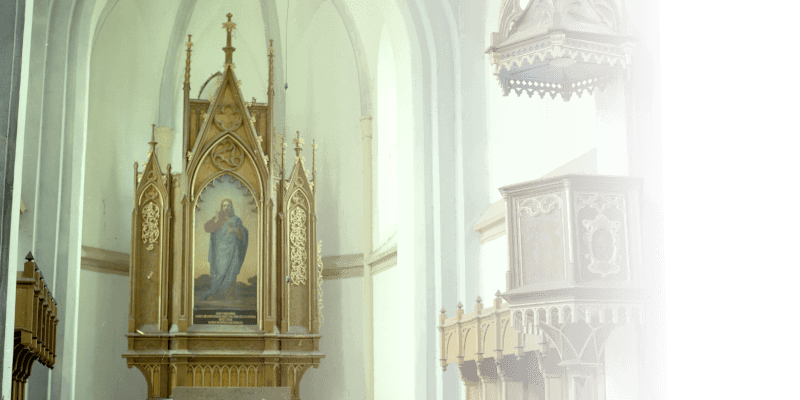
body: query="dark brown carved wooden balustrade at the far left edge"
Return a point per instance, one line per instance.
(35, 321)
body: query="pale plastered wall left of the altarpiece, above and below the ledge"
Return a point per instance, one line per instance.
(123, 103)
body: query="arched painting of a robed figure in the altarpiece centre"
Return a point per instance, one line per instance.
(225, 254)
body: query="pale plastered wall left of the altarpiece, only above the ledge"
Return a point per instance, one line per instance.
(123, 103)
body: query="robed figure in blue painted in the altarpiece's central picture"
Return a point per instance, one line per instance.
(227, 248)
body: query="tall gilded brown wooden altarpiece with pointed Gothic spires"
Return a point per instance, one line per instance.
(225, 275)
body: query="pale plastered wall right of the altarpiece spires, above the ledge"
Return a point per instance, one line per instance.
(322, 103)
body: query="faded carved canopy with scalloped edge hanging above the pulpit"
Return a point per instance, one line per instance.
(560, 47)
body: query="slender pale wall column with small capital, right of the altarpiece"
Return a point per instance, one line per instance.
(369, 361)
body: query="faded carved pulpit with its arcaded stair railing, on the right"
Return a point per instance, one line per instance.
(575, 275)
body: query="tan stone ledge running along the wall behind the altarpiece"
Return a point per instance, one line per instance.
(335, 267)
